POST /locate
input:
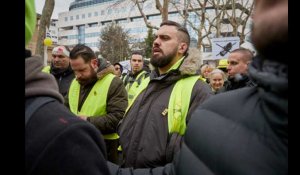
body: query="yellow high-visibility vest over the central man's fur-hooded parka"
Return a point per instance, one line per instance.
(179, 102)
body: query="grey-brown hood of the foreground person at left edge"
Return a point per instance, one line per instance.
(38, 83)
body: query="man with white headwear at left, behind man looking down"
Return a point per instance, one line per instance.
(60, 68)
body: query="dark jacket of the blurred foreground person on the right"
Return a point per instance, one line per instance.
(248, 136)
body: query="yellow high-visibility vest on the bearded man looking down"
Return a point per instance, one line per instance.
(95, 103)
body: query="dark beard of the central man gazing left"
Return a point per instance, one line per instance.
(164, 60)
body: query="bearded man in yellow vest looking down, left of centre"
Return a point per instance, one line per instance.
(97, 95)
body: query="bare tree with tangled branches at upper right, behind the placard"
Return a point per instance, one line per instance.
(214, 22)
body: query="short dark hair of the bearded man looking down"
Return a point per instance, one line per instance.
(84, 51)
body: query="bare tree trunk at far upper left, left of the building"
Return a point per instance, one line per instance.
(44, 23)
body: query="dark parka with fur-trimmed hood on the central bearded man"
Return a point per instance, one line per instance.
(144, 134)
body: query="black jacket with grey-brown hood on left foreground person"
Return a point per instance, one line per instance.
(56, 141)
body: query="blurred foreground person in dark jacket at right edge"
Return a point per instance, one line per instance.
(245, 131)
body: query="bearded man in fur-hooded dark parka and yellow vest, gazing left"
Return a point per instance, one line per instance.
(152, 128)
